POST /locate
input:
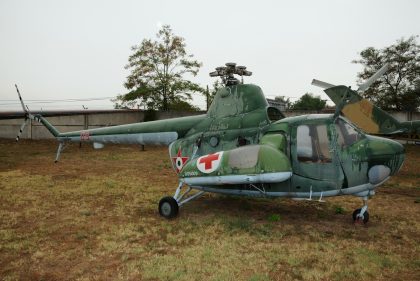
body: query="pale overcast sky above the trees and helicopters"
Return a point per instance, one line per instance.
(78, 49)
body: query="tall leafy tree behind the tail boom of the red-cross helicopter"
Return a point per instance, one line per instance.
(157, 70)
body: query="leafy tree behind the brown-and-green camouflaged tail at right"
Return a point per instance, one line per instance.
(393, 90)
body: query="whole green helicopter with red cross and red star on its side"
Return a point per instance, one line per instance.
(242, 146)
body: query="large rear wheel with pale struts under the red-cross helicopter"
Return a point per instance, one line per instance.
(169, 206)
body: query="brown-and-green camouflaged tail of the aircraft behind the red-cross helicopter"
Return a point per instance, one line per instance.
(367, 116)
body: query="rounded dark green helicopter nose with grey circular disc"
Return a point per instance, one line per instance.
(385, 158)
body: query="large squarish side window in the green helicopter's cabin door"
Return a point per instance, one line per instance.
(312, 144)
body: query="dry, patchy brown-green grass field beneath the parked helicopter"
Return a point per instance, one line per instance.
(93, 216)
